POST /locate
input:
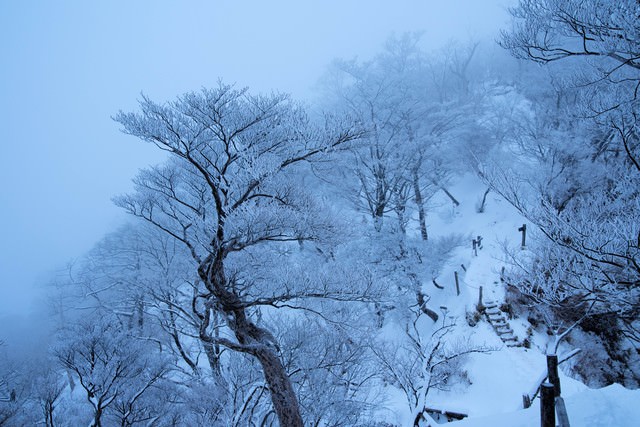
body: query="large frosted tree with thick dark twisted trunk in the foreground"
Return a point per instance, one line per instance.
(230, 193)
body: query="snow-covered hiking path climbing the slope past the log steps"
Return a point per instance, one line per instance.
(500, 378)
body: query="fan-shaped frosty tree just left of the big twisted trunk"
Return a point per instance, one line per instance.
(146, 278)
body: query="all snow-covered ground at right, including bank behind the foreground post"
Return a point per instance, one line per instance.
(500, 378)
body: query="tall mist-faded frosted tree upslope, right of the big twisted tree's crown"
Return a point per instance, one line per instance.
(419, 110)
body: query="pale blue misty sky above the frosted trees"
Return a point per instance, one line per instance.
(67, 66)
